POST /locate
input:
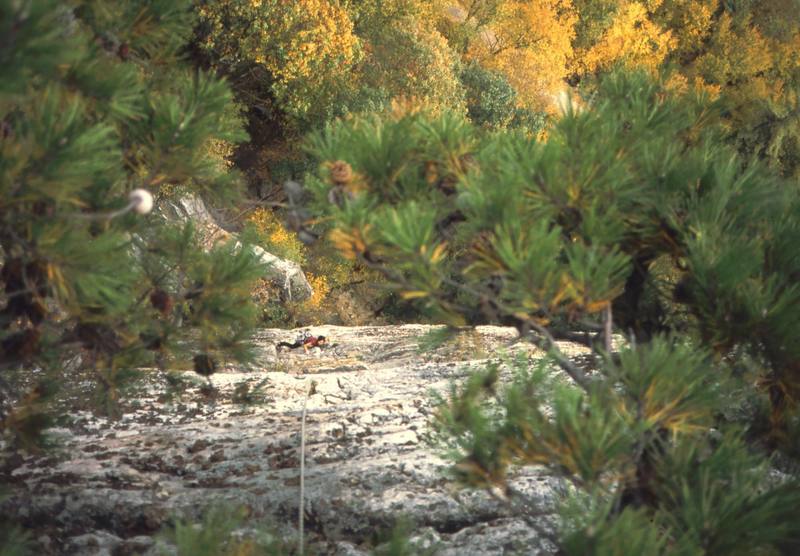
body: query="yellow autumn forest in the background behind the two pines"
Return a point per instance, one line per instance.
(505, 65)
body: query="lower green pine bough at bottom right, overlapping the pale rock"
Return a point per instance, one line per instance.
(645, 469)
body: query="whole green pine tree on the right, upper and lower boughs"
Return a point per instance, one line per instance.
(632, 218)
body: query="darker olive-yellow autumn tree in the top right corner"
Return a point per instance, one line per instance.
(752, 57)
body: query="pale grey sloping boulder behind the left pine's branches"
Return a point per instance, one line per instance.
(286, 275)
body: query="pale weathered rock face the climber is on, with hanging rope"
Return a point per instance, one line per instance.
(368, 401)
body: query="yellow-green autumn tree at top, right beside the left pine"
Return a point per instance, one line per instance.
(304, 63)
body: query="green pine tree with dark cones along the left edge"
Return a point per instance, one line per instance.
(99, 114)
